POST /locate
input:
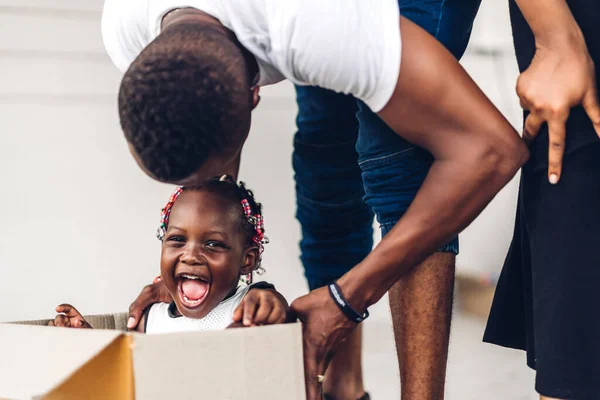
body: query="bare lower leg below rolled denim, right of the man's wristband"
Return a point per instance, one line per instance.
(421, 305)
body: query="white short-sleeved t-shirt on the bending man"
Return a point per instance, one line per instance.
(349, 46)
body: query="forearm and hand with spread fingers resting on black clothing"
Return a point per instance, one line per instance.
(560, 76)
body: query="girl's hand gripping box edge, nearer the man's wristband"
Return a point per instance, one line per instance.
(261, 307)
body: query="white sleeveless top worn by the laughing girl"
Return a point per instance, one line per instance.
(160, 320)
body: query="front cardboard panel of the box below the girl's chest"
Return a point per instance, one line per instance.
(240, 364)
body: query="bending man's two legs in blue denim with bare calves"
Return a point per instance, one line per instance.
(329, 189)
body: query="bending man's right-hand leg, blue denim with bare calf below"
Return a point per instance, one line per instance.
(421, 302)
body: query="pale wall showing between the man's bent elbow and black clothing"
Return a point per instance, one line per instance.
(491, 62)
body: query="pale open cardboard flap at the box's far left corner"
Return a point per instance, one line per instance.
(35, 359)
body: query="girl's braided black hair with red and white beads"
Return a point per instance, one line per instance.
(251, 218)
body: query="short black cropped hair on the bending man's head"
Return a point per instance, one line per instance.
(185, 98)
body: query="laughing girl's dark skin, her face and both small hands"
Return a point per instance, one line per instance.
(204, 239)
